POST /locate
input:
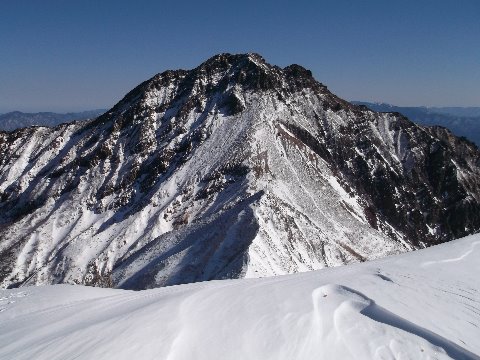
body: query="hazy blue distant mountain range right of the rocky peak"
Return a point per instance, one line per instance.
(462, 121)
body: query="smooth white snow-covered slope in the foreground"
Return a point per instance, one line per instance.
(420, 305)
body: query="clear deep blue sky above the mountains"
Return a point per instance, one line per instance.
(76, 55)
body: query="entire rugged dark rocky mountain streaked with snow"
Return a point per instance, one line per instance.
(233, 169)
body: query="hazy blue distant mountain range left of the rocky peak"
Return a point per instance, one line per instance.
(16, 119)
